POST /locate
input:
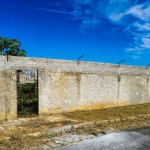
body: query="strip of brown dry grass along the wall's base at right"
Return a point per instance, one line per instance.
(109, 113)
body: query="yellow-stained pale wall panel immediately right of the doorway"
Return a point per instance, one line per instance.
(57, 95)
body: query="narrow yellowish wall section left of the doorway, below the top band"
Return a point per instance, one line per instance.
(8, 95)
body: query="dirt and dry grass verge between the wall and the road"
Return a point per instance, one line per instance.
(14, 134)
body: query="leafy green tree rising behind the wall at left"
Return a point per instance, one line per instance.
(11, 47)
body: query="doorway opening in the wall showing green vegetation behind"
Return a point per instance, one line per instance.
(27, 92)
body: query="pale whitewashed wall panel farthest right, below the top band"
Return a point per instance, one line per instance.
(133, 89)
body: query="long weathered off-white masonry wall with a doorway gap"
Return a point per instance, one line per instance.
(66, 86)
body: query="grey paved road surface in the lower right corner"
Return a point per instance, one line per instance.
(138, 139)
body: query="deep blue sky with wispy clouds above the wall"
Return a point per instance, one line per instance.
(102, 30)
